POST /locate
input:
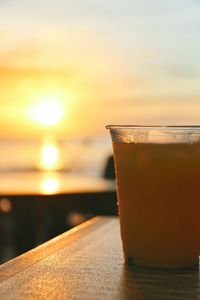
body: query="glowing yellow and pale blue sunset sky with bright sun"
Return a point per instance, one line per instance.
(88, 63)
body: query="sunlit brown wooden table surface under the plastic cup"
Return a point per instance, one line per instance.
(87, 263)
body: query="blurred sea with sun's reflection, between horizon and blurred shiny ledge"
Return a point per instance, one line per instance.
(80, 156)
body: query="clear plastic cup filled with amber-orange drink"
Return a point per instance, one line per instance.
(158, 187)
